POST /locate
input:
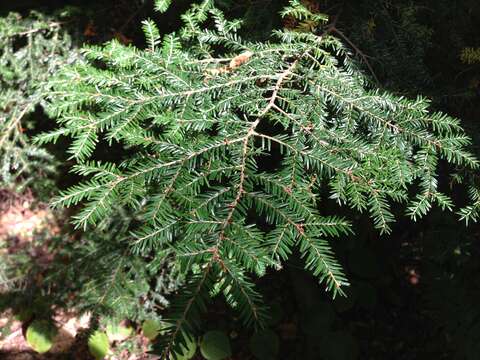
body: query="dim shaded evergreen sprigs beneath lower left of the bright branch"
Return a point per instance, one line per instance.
(108, 279)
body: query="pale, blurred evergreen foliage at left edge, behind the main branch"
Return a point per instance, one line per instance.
(32, 49)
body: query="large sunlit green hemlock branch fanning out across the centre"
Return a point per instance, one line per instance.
(199, 114)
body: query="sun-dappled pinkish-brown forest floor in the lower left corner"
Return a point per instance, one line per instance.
(29, 241)
